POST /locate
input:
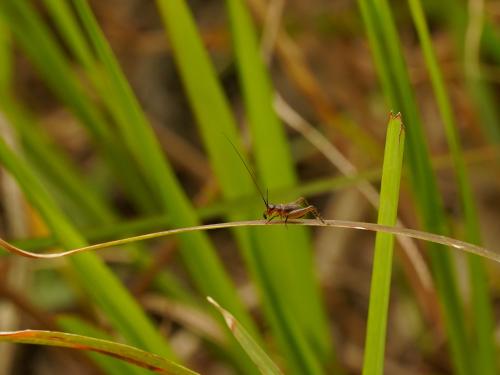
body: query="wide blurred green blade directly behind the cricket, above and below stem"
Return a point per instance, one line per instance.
(276, 168)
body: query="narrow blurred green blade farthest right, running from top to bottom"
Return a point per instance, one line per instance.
(484, 360)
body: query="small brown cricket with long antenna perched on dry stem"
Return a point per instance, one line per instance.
(293, 210)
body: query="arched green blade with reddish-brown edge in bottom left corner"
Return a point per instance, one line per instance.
(127, 353)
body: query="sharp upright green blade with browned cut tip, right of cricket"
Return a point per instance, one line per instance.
(384, 247)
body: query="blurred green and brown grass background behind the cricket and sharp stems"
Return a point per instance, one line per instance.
(114, 117)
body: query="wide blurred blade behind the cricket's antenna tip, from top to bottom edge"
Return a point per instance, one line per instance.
(215, 120)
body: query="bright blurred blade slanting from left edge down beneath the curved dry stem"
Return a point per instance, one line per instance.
(112, 297)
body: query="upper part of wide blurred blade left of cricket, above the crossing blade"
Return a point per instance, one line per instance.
(206, 98)
